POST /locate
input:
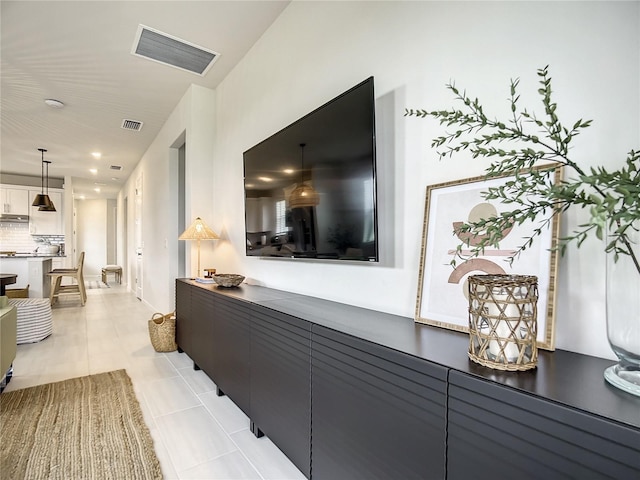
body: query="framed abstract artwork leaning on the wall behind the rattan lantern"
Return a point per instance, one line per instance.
(442, 298)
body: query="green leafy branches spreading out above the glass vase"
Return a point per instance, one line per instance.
(524, 141)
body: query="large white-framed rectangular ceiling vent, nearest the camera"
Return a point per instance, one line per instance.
(164, 48)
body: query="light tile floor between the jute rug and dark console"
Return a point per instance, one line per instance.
(197, 435)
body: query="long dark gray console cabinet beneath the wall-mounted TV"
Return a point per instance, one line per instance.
(348, 393)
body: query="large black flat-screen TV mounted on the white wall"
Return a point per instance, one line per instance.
(310, 189)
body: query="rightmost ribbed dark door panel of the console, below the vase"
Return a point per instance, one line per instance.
(496, 432)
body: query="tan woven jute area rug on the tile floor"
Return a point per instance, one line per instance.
(83, 428)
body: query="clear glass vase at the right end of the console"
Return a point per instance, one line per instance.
(623, 316)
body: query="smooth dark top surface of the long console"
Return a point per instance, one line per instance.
(568, 378)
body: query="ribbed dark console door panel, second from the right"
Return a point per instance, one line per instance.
(377, 413)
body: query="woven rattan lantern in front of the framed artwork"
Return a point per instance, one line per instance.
(503, 321)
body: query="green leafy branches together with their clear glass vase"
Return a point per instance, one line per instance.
(513, 147)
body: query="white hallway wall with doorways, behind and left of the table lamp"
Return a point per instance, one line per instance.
(195, 116)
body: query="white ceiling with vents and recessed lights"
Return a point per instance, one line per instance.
(79, 52)
